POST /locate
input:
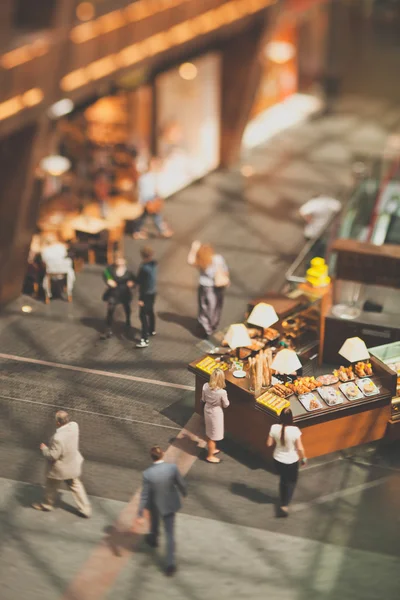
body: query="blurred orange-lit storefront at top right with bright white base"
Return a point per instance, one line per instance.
(293, 62)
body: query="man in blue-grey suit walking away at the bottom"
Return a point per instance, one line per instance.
(160, 496)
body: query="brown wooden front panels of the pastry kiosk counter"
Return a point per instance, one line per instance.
(326, 430)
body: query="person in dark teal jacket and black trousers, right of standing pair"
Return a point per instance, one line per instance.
(147, 282)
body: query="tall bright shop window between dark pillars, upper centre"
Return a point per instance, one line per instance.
(188, 118)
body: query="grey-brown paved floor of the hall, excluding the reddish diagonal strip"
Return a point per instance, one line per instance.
(342, 540)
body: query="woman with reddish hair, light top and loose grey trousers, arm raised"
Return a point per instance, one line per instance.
(213, 280)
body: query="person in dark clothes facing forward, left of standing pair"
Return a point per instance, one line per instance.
(120, 282)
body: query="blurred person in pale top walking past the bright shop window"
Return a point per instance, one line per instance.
(152, 202)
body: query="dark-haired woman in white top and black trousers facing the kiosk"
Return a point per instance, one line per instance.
(287, 453)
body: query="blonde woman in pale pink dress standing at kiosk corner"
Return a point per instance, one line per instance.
(215, 399)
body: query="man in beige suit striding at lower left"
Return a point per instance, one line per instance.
(64, 464)
